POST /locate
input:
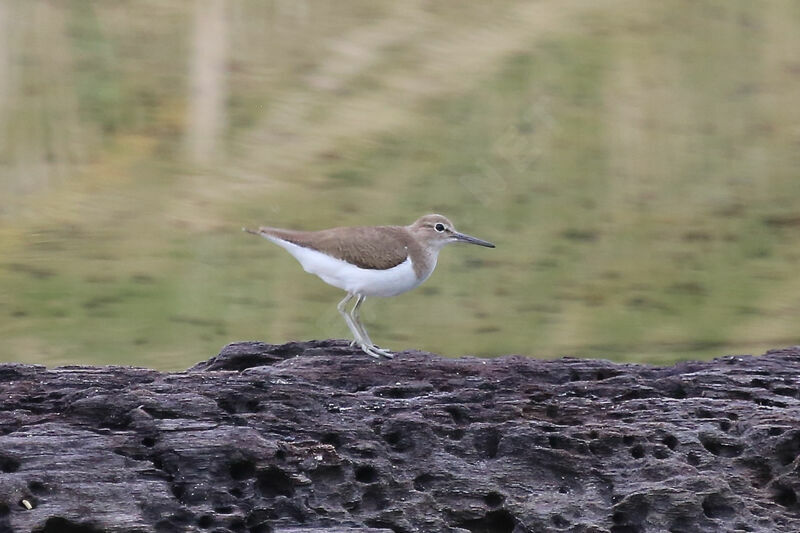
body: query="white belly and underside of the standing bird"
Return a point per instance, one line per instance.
(351, 278)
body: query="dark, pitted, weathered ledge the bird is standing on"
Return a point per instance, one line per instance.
(311, 437)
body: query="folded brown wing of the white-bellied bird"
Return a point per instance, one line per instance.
(375, 248)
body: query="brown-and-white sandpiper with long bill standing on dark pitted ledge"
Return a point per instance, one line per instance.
(367, 261)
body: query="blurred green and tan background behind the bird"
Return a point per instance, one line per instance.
(636, 163)
